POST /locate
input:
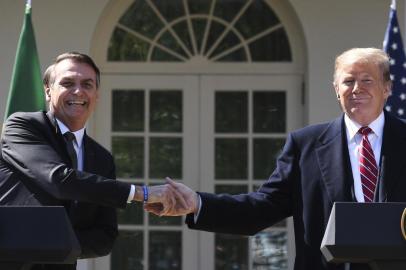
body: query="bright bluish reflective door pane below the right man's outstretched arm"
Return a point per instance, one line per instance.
(269, 251)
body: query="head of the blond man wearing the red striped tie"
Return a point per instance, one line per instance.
(362, 84)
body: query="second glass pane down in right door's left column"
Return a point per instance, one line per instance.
(231, 159)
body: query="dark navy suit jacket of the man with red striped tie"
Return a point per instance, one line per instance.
(312, 172)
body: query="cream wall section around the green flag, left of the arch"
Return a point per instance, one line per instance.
(59, 26)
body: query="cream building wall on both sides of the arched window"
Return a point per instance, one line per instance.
(330, 27)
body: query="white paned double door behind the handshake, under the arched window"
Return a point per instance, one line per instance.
(214, 133)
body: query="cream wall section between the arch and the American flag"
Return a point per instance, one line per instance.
(330, 27)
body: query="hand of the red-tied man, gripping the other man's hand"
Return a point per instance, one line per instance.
(185, 201)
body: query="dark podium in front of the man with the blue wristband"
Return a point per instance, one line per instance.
(36, 235)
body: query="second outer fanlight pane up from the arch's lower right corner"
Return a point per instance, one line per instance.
(257, 18)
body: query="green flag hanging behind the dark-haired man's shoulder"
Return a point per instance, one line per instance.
(26, 90)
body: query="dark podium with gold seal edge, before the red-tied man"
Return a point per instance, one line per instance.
(366, 233)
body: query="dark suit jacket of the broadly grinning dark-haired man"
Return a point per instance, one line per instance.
(35, 169)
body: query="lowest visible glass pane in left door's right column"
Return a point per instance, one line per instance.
(165, 252)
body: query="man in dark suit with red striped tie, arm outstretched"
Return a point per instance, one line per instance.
(319, 165)
